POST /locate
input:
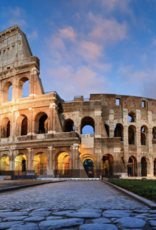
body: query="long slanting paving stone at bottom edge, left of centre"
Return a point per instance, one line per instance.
(55, 224)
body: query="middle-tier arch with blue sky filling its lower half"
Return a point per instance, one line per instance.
(87, 126)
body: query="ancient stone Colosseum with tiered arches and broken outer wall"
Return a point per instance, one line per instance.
(42, 133)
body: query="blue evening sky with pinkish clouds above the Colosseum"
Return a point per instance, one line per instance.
(89, 46)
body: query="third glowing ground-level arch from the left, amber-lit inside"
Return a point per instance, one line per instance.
(40, 163)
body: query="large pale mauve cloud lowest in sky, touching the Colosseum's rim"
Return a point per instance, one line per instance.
(83, 81)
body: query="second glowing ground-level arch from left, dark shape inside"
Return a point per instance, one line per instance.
(21, 163)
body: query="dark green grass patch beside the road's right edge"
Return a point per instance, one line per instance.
(144, 188)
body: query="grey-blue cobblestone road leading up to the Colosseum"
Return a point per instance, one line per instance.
(73, 205)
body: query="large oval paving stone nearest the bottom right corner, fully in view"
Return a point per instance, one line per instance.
(131, 222)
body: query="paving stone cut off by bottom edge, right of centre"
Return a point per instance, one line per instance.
(98, 227)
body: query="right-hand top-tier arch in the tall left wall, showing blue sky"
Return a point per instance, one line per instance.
(23, 87)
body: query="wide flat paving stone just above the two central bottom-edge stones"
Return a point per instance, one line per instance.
(84, 214)
